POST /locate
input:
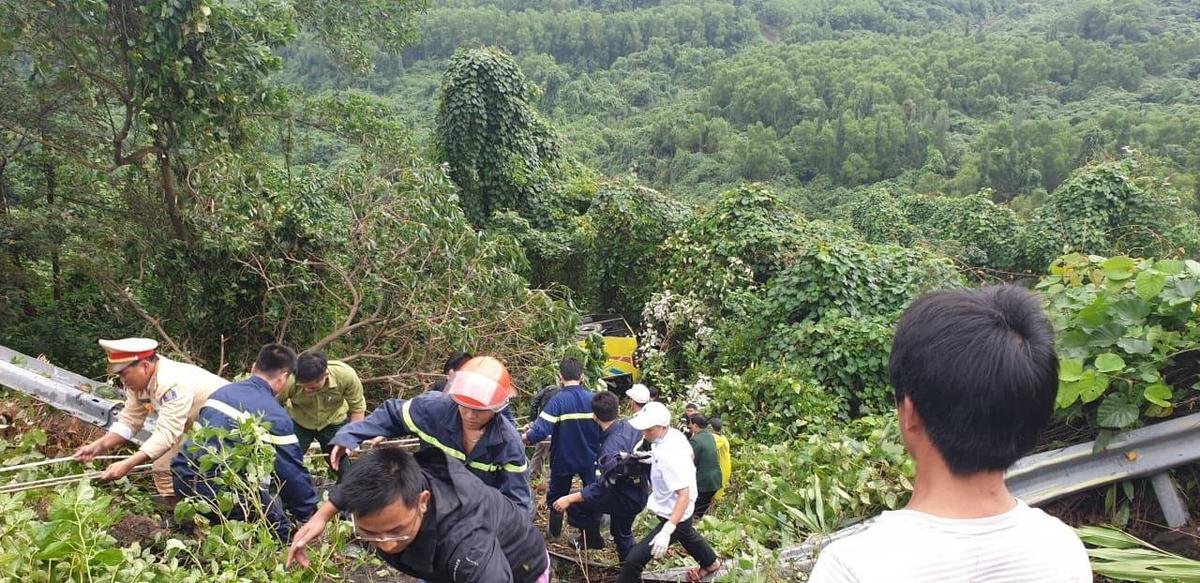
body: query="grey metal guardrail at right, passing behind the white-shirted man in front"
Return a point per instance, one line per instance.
(1042, 478)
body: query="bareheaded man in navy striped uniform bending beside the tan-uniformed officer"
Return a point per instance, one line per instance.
(226, 410)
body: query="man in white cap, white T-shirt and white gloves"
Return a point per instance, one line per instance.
(673, 498)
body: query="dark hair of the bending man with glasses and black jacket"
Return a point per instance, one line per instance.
(379, 479)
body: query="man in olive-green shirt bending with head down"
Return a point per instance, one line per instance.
(326, 395)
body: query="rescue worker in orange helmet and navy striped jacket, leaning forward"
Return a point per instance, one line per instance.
(463, 422)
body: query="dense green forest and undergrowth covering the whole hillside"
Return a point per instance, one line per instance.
(760, 188)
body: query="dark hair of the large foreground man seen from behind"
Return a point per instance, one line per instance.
(981, 370)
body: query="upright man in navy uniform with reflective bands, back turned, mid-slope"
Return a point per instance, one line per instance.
(575, 438)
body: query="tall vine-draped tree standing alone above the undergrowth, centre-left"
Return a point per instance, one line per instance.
(500, 152)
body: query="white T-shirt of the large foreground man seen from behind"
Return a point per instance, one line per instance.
(1019, 546)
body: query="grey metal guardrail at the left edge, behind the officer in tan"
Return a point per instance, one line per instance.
(64, 390)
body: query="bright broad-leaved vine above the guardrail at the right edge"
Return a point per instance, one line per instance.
(1126, 335)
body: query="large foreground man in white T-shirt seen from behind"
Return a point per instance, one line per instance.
(975, 376)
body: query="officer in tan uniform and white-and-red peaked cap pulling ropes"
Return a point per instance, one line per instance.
(153, 383)
